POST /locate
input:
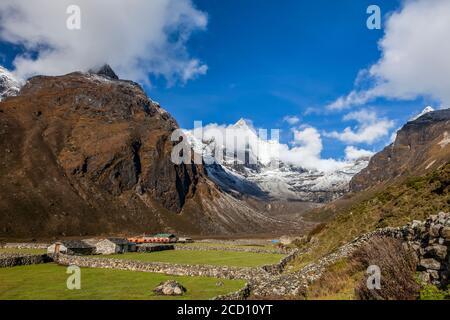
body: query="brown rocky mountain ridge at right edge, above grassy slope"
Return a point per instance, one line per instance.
(421, 146)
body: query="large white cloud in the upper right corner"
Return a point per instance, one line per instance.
(414, 60)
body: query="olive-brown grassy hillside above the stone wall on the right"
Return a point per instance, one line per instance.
(414, 198)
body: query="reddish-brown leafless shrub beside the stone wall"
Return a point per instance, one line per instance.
(398, 270)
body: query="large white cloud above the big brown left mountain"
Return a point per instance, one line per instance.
(136, 37)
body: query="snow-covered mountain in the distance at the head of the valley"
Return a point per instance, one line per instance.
(271, 178)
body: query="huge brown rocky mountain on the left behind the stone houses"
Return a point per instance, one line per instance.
(87, 154)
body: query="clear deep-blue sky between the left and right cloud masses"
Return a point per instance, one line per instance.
(269, 59)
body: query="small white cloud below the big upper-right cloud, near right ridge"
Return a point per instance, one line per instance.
(369, 128)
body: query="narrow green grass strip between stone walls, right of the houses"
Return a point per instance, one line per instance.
(215, 258)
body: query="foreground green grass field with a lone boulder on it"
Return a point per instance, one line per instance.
(48, 282)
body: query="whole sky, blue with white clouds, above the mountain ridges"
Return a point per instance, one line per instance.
(266, 60)
